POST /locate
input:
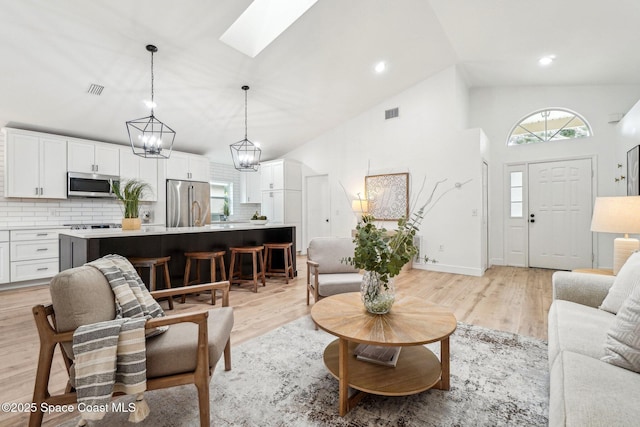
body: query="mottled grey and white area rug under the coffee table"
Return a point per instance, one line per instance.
(279, 379)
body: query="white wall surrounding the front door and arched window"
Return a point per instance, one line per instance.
(496, 110)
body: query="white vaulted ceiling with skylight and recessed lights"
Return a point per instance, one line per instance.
(314, 76)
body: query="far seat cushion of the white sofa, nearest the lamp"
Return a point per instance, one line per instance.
(577, 328)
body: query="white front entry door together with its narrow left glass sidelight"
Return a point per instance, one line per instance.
(549, 214)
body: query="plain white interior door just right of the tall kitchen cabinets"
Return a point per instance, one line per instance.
(318, 207)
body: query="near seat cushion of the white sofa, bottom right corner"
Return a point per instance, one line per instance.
(588, 392)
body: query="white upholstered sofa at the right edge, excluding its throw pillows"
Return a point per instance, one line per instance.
(584, 390)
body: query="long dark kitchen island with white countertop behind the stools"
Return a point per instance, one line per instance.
(78, 247)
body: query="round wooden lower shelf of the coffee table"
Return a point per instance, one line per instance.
(417, 370)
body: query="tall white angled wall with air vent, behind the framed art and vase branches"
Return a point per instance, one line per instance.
(428, 141)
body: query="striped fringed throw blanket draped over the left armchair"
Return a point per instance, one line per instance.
(110, 356)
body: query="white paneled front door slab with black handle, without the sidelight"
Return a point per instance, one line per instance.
(559, 214)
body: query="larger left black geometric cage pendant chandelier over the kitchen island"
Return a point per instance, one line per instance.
(150, 137)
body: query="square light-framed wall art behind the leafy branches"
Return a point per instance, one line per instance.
(388, 196)
